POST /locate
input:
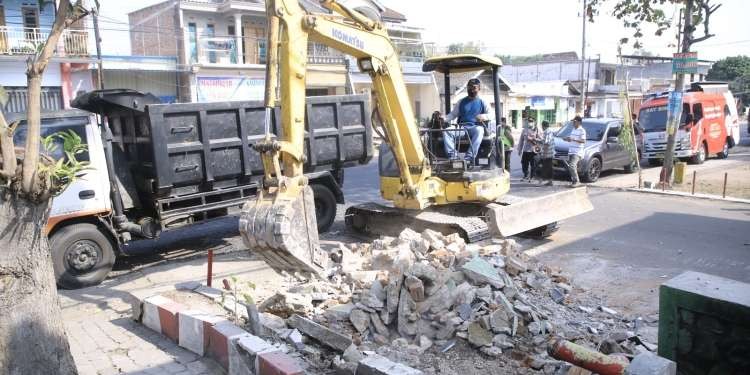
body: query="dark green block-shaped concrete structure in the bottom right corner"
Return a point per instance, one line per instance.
(702, 318)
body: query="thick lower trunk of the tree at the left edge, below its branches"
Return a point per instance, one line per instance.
(33, 339)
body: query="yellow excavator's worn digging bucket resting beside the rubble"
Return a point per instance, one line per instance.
(283, 231)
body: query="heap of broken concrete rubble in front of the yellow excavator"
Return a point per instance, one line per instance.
(405, 295)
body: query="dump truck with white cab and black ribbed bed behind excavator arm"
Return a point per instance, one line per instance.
(156, 167)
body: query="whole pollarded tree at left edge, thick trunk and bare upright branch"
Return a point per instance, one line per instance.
(32, 335)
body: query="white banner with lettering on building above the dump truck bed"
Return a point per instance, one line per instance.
(217, 89)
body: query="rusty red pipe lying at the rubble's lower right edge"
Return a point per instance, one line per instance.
(586, 358)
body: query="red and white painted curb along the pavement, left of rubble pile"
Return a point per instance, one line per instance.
(238, 351)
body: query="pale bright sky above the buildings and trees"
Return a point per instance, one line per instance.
(510, 27)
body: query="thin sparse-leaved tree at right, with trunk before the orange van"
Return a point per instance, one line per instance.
(634, 14)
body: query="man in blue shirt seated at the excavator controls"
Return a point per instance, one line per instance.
(470, 111)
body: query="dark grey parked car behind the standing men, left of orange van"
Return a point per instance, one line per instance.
(603, 150)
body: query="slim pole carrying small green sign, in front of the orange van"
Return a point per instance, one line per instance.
(674, 121)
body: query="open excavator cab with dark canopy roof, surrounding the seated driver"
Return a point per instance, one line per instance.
(490, 155)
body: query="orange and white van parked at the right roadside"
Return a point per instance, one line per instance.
(709, 124)
